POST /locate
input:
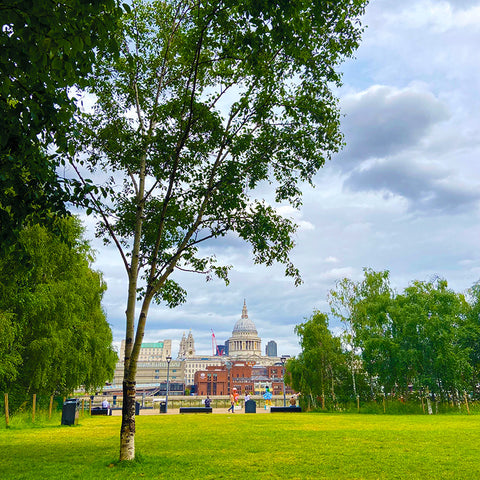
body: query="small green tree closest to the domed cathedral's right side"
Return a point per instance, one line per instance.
(317, 370)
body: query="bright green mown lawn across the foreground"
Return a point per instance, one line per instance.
(276, 446)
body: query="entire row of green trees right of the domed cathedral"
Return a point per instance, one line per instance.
(422, 340)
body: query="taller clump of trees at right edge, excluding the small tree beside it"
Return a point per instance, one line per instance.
(421, 339)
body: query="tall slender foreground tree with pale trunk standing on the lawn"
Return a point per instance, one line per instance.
(209, 101)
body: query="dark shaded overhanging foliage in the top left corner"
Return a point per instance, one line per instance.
(46, 47)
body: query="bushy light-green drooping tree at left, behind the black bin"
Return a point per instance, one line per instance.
(50, 302)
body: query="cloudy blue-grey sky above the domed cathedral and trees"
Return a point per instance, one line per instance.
(403, 195)
